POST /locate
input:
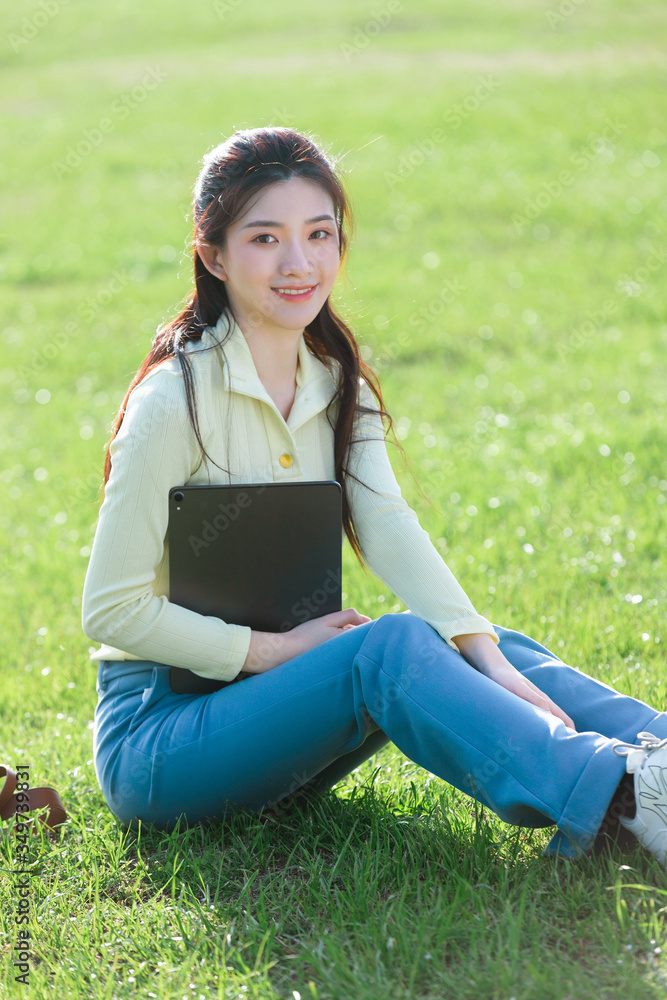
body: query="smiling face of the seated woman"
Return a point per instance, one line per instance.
(282, 257)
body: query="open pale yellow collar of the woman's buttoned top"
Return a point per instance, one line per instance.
(315, 383)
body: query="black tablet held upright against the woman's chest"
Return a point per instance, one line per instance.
(267, 555)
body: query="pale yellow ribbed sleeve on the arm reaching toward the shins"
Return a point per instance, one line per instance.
(393, 543)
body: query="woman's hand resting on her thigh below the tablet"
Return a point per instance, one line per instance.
(269, 649)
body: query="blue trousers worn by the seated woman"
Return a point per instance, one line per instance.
(312, 720)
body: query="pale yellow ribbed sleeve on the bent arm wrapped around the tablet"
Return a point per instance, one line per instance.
(154, 450)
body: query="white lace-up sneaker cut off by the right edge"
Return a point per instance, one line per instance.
(648, 763)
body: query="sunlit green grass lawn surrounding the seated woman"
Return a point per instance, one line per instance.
(523, 363)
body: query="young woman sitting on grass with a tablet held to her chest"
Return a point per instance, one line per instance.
(259, 380)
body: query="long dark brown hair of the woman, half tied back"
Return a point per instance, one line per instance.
(233, 173)
